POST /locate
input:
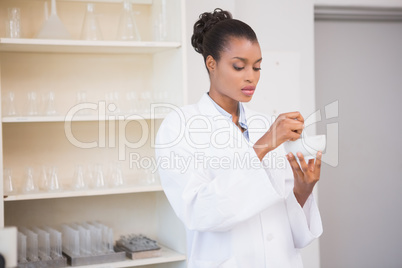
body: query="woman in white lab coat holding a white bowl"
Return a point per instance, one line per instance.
(238, 211)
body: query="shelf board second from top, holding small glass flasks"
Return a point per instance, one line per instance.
(88, 118)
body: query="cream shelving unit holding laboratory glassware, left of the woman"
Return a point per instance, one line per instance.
(66, 67)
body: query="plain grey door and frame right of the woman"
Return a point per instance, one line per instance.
(358, 64)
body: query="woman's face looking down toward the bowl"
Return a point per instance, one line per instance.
(236, 74)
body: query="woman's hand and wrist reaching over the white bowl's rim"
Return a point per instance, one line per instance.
(287, 126)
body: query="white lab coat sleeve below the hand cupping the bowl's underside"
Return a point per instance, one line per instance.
(305, 222)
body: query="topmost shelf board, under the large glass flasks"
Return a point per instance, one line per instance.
(83, 46)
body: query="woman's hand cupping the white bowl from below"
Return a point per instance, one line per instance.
(306, 175)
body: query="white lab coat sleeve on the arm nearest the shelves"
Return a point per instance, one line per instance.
(202, 201)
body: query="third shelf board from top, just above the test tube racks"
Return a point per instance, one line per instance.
(90, 192)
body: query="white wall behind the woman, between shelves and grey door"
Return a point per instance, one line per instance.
(285, 26)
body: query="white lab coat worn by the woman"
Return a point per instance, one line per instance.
(237, 212)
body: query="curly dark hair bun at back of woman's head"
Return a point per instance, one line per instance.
(206, 21)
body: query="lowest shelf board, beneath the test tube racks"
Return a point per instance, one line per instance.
(167, 255)
